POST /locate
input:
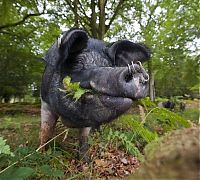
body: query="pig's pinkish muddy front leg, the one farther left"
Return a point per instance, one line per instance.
(48, 123)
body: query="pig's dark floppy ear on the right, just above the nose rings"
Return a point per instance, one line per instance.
(123, 52)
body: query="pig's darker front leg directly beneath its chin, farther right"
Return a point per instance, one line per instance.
(83, 144)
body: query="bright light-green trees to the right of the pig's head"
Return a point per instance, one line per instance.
(168, 27)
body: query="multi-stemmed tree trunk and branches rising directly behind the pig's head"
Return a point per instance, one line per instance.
(97, 16)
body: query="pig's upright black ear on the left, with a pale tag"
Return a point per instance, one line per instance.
(69, 43)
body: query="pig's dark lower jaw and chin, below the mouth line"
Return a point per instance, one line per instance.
(92, 109)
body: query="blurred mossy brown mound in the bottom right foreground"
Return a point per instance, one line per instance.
(174, 156)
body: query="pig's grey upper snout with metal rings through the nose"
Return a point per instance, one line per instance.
(128, 82)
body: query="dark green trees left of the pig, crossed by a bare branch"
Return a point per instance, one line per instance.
(20, 26)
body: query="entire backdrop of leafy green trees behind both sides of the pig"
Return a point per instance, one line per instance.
(169, 28)
